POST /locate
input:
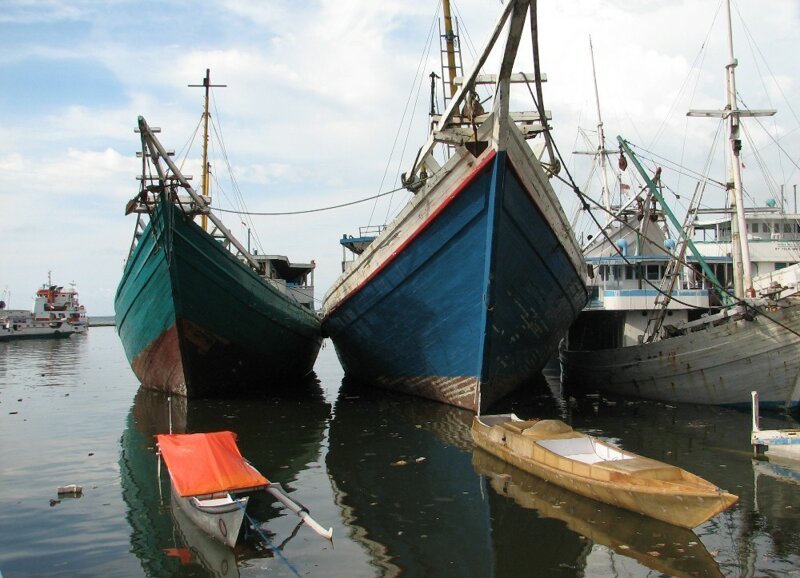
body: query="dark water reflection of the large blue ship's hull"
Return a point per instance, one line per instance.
(403, 477)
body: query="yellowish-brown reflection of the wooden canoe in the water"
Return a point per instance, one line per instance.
(610, 532)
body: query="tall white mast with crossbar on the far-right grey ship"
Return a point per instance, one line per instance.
(743, 277)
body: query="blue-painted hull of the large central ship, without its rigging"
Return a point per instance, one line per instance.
(472, 306)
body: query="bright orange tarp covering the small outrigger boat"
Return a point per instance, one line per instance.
(205, 463)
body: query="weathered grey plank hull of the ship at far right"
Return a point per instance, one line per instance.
(718, 365)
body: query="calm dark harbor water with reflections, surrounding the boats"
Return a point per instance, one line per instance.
(396, 477)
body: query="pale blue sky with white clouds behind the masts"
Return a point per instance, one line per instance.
(314, 101)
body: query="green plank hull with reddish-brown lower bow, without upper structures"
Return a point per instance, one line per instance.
(195, 321)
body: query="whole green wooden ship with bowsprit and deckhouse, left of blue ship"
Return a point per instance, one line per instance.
(198, 315)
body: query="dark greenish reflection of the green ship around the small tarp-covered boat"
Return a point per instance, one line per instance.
(282, 435)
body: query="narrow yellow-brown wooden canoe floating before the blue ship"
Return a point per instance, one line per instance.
(590, 467)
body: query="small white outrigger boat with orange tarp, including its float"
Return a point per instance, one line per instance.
(209, 479)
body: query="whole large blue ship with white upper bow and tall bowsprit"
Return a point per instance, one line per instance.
(465, 295)
